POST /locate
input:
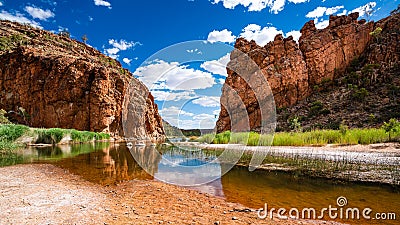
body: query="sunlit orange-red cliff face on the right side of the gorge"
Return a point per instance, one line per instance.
(292, 69)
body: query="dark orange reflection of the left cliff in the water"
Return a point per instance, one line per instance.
(112, 164)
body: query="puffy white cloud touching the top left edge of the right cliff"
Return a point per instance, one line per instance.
(261, 35)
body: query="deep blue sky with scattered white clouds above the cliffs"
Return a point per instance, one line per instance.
(188, 84)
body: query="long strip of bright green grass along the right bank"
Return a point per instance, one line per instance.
(316, 137)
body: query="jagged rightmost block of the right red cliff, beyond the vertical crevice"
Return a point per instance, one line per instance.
(332, 49)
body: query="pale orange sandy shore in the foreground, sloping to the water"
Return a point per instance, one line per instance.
(46, 194)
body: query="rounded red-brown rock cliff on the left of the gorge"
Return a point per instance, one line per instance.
(64, 83)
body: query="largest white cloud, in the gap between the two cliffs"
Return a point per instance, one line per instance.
(173, 76)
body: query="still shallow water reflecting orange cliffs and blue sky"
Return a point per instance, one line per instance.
(108, 163)
